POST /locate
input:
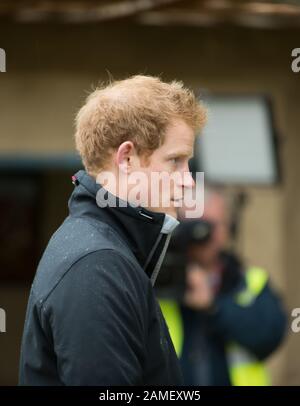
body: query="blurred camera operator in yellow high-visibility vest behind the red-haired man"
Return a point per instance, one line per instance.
(230, 319)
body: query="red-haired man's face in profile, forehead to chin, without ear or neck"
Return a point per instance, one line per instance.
(171, 158)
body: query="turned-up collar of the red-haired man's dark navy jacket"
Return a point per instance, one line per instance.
(146, 233)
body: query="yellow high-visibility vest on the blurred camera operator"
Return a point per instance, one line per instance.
(244, 368)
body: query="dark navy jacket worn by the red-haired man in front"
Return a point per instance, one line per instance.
(92, 316)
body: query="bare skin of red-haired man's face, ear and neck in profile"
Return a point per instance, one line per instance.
(159, 182)
